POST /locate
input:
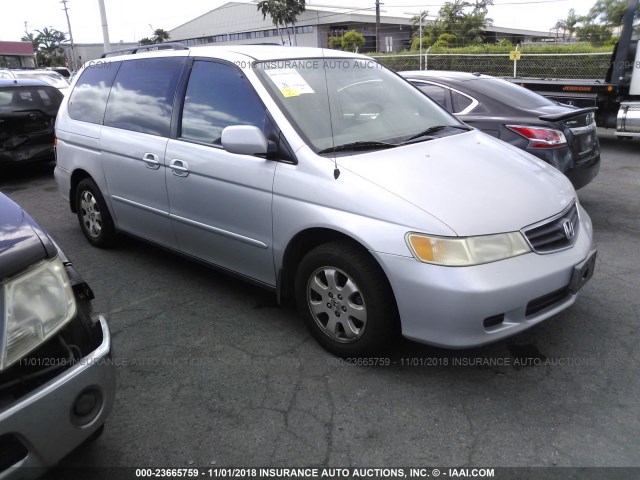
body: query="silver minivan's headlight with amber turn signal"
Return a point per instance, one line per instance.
(458, 252)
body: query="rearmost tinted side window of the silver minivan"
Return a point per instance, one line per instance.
(89, 97)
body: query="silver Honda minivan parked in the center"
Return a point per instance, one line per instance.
(329, 179)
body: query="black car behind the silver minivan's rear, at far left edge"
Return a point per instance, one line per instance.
(28, 110)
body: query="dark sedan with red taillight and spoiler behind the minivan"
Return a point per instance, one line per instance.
(561, 135)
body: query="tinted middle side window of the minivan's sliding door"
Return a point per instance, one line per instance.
(141, 98)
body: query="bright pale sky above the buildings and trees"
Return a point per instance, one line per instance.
(130, 20)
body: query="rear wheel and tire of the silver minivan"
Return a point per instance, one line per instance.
(94, 217)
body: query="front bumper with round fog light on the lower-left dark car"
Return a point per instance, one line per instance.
(42, 420)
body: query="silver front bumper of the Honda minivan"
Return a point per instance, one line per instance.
(460, 307)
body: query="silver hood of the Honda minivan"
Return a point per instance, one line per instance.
(475, 184)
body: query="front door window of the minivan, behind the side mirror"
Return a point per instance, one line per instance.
(218, 96)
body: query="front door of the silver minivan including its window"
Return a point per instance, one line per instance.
(220, 203)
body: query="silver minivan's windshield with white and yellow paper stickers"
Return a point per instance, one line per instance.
(340, 102)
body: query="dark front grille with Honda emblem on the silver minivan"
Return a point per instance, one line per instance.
(556, 234)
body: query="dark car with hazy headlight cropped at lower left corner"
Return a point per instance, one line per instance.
(57, 381)
